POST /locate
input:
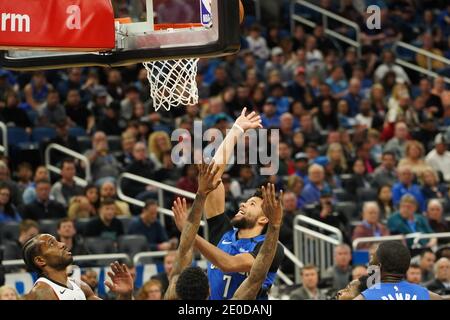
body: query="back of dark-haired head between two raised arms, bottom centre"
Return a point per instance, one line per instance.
(192, 284)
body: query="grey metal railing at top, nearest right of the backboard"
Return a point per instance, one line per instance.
(326, 14)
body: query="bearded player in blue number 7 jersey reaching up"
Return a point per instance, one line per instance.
(234, 244)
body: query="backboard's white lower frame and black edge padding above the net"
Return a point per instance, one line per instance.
(144, 41)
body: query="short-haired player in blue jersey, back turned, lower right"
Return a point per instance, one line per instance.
(393, 260)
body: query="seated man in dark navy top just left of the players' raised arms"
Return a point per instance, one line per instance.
(147, 224)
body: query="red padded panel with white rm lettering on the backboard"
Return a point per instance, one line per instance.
(63, 25)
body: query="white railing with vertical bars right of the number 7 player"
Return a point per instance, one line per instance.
(314, 247)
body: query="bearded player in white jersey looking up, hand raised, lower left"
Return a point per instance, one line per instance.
(49, 258)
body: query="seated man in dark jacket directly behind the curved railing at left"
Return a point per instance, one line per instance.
(63, 190)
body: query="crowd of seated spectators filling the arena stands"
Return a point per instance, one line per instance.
(363, 142)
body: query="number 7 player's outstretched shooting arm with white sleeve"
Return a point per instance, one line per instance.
(215, 202)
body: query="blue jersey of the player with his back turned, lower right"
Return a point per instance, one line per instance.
(396, 291)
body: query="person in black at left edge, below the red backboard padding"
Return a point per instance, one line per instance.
(12, 114)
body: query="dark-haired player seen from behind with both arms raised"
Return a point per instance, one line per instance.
(192, 283)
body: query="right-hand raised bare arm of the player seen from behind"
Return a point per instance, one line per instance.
(273, 210)
